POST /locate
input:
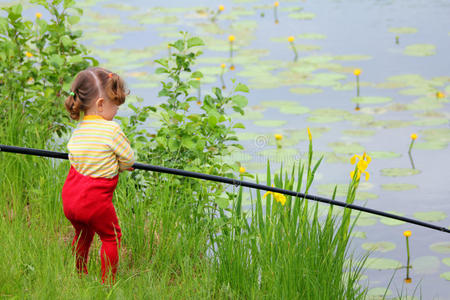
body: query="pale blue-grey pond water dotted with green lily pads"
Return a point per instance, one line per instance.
(398, 86)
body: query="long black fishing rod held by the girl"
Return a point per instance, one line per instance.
(140, 166)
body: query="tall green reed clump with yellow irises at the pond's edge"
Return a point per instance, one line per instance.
(284, 250)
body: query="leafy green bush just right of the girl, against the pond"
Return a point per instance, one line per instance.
(187, 139)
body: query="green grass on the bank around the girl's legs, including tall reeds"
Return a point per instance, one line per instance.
(176, 244)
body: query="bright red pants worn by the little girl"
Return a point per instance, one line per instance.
(87, 203)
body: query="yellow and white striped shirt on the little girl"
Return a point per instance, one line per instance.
(99, 148)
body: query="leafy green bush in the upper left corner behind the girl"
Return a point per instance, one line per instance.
(38, 60)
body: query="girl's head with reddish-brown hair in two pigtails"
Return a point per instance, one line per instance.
(96, 91)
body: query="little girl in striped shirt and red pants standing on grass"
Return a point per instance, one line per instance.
(98, 151)
